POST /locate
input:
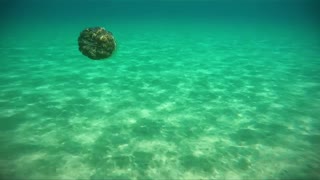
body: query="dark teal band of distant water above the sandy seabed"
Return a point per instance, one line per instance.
(72, 10)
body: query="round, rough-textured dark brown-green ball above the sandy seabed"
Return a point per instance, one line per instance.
(96, 43)
